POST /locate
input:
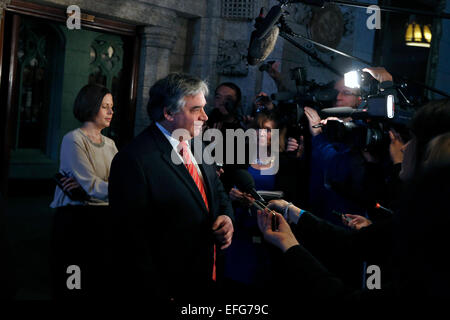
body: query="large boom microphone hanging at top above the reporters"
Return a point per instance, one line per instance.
(264, 37)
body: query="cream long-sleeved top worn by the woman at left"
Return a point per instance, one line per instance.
(89, 163)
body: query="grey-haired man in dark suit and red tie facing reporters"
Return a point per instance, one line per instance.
(172, 210)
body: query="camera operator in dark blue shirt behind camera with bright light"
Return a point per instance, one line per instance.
(341, 174)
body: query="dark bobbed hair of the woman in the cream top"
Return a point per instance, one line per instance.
(88, 102)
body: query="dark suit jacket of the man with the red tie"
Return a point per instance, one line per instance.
(163, 239)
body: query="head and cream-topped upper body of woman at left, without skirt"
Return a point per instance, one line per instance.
(86, 154)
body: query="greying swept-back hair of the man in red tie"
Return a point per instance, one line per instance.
(170, 91)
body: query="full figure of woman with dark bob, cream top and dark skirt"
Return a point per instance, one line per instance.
(85, 158)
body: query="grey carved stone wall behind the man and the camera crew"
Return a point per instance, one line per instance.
(186, 36)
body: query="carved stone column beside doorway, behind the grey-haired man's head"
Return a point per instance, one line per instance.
(156, 46)
